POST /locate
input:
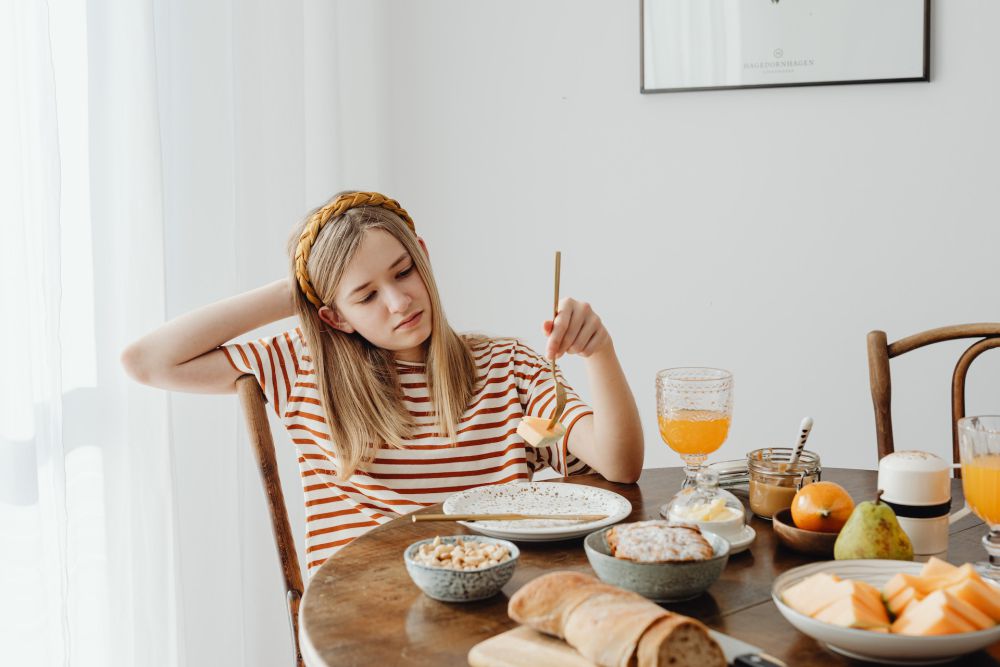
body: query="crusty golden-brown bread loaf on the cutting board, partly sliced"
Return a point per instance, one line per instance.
(611, 626)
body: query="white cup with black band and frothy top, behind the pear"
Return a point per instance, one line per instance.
(917, 486)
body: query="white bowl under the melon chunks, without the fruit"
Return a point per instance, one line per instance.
(876, 646)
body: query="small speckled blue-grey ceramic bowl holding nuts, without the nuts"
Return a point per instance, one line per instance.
(449, 585)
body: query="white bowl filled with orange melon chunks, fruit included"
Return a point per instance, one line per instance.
(890, 611)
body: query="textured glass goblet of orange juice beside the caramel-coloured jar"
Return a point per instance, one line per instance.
(694, 407)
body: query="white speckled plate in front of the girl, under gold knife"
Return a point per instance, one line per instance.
(538, 498)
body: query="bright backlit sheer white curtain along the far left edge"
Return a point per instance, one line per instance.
(87, 573)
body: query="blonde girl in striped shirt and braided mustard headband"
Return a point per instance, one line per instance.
(389, 408)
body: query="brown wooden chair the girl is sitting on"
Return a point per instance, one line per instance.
(253, 402)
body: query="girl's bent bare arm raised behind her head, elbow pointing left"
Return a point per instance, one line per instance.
(184, 354)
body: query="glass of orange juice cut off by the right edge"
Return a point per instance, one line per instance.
(979, 448)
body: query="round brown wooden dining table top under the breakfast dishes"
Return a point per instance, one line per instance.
(362, 608)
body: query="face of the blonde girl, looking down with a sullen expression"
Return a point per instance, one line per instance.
(382, 297)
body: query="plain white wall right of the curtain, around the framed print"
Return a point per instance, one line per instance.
(764, 231)
